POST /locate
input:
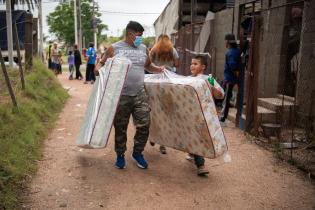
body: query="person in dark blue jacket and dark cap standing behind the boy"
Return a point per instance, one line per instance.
(232, 69)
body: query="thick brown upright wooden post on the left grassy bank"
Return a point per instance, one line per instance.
(28, 45)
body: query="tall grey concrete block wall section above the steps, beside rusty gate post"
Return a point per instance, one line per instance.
(271, 57)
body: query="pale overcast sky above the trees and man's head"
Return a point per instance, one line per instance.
(116, 13)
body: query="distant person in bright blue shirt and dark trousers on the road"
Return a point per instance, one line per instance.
(91, 59)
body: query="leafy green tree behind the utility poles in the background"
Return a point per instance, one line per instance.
(61, 21)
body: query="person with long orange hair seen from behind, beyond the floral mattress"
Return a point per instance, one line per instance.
(164, 54)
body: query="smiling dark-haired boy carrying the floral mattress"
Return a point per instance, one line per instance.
(197, 68)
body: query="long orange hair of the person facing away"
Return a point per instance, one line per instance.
(163, 49)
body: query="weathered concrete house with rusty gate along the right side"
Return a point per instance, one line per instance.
(280, 40)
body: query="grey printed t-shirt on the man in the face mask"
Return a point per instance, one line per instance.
(135, 76)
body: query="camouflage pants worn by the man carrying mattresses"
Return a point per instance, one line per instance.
(138, 107)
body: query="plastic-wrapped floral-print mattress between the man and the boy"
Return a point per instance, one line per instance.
(183, 115)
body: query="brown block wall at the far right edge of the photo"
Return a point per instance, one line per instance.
(305, 94)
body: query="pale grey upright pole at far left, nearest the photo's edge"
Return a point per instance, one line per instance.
(9, 32)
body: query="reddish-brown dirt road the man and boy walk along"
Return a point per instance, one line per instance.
(73, 178)
